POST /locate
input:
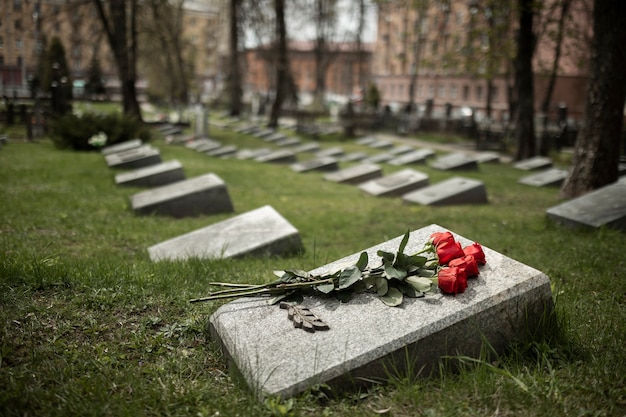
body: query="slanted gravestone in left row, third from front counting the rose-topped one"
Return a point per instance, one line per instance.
(205, 194)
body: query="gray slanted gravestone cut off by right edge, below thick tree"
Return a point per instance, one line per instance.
(605, 206)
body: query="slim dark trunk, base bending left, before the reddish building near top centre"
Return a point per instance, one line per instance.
(282, 63)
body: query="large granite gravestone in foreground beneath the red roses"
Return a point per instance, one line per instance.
(507, 302)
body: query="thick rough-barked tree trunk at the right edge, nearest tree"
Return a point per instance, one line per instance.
(596, 154)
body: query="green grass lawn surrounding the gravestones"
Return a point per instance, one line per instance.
(90, 326)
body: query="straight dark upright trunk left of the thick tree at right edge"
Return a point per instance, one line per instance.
(525, 125)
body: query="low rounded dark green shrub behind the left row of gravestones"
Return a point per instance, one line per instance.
(71, 131)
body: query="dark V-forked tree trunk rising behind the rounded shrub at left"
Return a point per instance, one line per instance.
(120, 26)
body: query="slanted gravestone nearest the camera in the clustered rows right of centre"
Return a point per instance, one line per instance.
(452, 191)
